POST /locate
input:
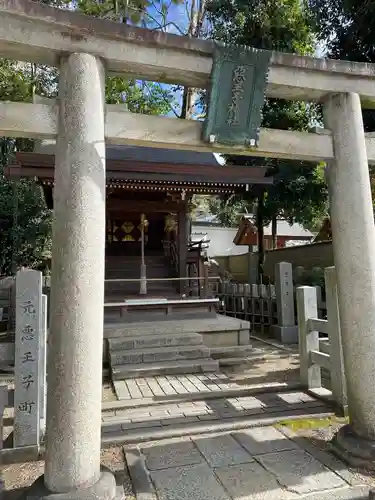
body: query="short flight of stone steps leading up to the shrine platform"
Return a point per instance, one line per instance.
(134, 356)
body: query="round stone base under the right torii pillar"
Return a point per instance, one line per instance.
(353, 449)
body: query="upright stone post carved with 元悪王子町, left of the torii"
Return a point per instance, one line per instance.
(27, 374)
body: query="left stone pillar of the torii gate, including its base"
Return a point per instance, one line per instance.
(73, 438)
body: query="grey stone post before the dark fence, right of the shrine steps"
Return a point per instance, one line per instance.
(286, 329)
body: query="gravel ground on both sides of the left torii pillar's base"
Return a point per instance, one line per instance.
(19, 476)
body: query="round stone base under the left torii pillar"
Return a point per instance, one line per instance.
(104, 489)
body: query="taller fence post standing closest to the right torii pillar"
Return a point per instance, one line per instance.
(338, 380)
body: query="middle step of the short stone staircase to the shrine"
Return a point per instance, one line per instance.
(156, 354)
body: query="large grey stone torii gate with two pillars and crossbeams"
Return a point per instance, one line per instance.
(84, 49)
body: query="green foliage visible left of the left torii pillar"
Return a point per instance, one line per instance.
(25, 221)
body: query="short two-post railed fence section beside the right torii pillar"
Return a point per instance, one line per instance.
(318, 352)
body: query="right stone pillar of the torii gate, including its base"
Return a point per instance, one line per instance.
(353, 235)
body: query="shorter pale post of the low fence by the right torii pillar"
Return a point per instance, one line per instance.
(307, 307)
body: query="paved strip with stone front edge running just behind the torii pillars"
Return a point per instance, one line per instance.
(194, 416)
